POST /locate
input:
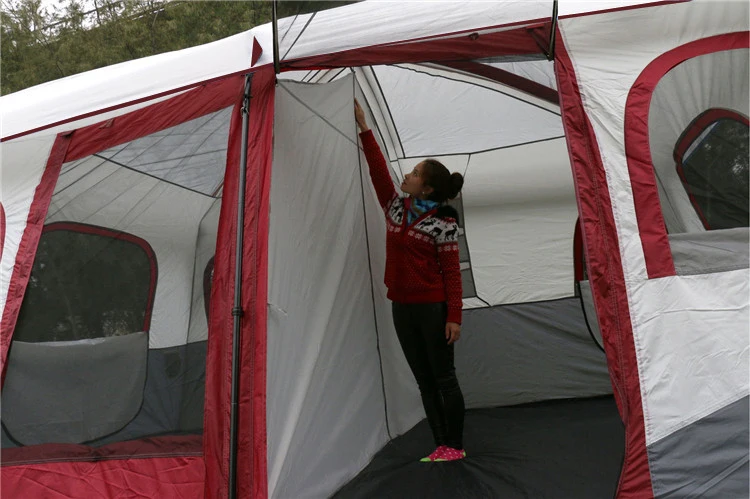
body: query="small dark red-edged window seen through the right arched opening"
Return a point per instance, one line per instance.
(714, 172)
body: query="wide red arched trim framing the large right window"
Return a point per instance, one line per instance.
(651, 226)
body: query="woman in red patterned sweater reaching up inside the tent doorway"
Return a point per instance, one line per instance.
(423, 277)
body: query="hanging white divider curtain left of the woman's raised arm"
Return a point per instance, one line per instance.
(326, 417)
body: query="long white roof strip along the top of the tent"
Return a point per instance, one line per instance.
(349, 27)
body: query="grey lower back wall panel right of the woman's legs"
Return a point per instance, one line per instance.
(514, 354)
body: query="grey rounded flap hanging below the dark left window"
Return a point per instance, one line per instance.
(62, 391)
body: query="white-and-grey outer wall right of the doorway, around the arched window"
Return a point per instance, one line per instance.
(690, 332)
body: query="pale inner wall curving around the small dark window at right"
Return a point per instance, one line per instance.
(696, 85)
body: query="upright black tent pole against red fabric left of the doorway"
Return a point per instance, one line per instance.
(237, 309)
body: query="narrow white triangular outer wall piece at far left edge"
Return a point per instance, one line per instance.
(22, 164)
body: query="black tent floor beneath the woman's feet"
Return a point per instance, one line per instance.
(567, 449)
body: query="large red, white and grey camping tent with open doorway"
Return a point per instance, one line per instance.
(119, 268)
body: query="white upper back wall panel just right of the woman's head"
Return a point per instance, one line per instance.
(520, 211)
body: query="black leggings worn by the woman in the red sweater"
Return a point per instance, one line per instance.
(421, 331)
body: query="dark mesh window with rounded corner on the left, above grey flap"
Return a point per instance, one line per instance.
(87, 283)
